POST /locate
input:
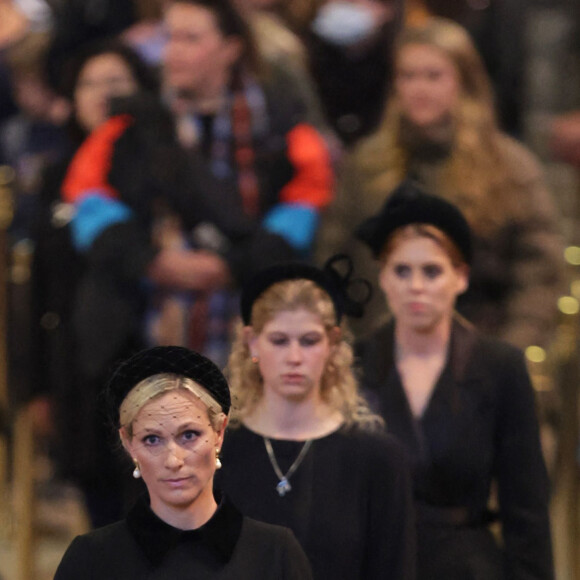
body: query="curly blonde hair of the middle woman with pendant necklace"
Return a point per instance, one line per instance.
(339, 386)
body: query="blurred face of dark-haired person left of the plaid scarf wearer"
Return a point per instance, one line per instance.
(102, 77)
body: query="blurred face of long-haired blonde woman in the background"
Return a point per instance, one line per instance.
(426, 84)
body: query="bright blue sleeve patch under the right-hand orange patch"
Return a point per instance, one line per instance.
(296, 223)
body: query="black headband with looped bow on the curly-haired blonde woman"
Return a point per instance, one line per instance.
(335, 278)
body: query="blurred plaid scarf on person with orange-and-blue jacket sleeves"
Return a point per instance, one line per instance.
(197, 320)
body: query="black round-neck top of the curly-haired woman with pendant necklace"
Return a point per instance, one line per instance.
(350, 505)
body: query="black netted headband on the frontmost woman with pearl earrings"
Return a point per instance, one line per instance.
(166, 359)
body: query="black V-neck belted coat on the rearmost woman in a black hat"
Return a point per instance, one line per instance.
(479, 427)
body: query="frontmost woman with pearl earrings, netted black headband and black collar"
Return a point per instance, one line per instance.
(170, 406)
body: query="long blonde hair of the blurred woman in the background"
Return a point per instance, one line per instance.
(475, 176)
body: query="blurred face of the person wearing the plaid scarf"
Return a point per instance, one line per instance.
(198, 58)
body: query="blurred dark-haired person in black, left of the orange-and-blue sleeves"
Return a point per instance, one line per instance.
(94, 77)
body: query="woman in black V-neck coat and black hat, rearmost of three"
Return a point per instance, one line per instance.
(461, 403)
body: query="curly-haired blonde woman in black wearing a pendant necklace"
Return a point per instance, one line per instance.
(319, 460)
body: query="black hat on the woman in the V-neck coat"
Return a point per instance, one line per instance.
(409, 204)
